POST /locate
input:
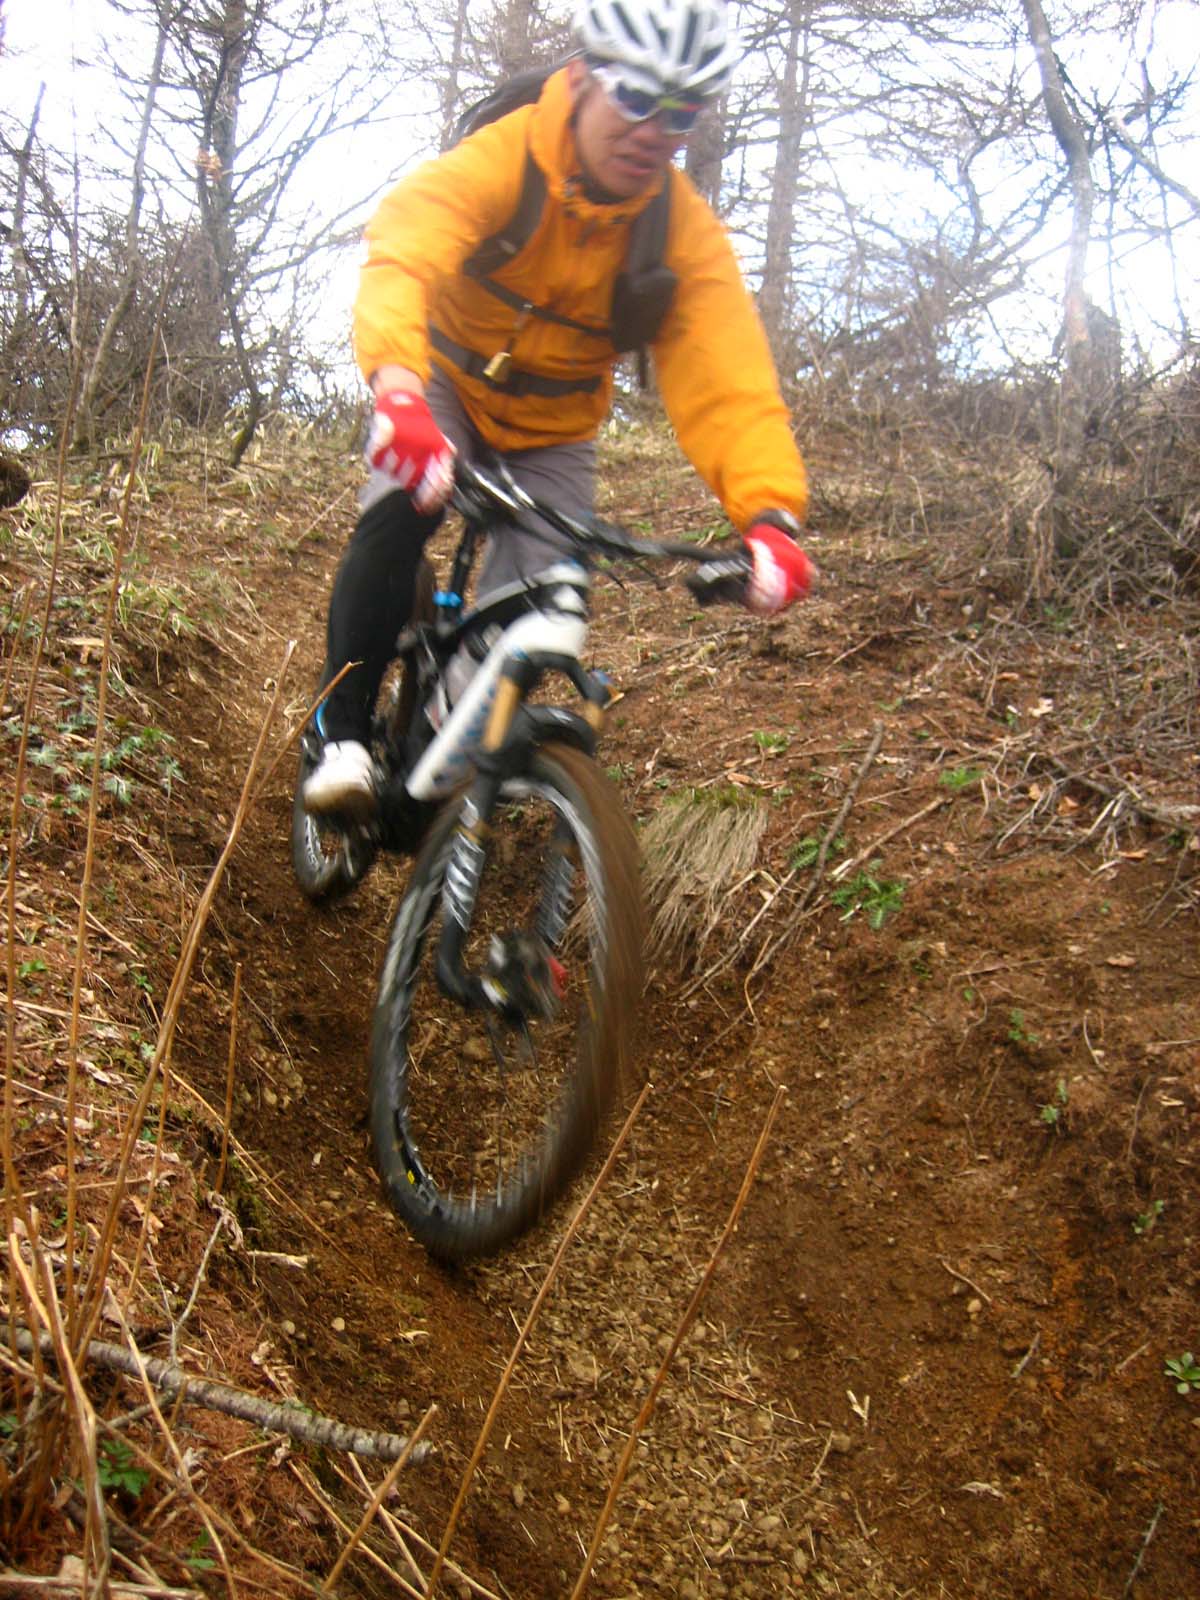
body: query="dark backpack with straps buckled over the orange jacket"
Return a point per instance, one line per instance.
(644, 289)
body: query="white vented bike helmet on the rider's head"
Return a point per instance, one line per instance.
(663, 44)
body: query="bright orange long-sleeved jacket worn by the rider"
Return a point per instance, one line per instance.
(711, 356)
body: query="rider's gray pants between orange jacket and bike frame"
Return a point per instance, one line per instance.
(561, 474)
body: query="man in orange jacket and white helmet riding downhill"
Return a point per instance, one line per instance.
(522, 364)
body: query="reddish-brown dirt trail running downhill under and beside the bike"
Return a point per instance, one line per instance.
(932, 1362)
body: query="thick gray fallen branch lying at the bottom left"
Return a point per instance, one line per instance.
(306, 1426)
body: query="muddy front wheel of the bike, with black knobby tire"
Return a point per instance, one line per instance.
(482, 1114)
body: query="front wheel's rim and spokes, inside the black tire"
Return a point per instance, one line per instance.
(486, 1114)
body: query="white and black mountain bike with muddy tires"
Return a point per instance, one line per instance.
(505, 1012)
